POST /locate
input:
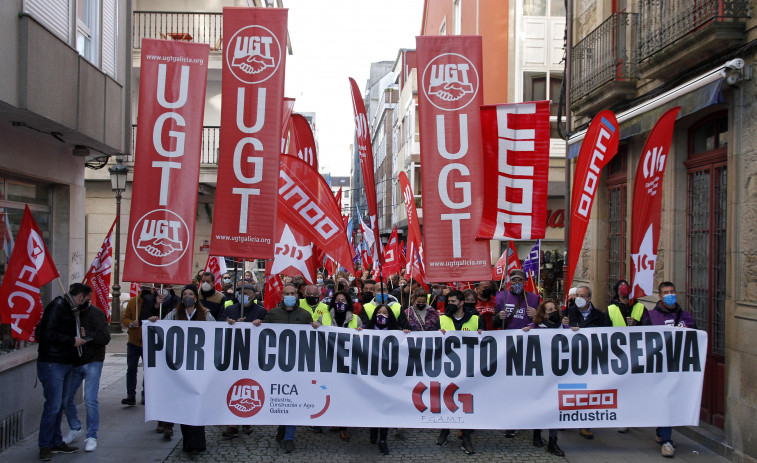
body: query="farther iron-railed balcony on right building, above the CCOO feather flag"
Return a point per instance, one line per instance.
(604, 60)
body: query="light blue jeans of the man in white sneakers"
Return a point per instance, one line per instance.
(90, 373)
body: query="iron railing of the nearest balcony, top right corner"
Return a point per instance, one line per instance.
(663, 22)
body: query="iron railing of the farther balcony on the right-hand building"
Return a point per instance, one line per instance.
(605, 54)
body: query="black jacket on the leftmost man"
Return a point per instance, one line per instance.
(55, 333)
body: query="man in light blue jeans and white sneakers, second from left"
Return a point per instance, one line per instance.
(87, 368)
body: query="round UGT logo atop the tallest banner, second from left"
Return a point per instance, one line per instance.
(253, 54)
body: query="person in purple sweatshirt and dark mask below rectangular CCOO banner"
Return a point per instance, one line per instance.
(515, 307)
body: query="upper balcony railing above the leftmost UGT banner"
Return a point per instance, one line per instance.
(189, 26)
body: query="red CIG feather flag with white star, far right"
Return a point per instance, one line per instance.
(647, 204)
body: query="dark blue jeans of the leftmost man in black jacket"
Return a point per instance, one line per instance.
(53, 377)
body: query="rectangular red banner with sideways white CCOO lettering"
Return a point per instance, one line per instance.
(516, 140)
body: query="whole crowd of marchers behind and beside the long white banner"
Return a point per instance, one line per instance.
(72, 350)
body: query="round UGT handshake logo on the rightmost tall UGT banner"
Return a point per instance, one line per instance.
(450, 81)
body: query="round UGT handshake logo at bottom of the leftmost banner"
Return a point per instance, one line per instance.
(160, 238)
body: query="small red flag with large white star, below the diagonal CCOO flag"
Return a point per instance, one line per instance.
(294, 254)
